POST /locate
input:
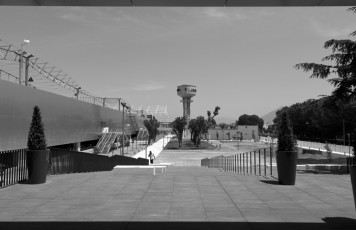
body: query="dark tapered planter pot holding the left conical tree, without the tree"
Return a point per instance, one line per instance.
(37, 164)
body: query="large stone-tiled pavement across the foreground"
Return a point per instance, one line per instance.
(181, 198)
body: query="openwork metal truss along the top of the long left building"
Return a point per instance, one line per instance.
(45, 76)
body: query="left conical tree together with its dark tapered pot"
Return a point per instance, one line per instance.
(37, 154)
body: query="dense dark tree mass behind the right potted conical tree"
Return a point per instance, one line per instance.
(321, 119)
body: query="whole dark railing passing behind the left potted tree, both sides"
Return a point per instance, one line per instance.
(13, 167)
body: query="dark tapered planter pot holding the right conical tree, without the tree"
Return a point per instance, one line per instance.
(287, 167)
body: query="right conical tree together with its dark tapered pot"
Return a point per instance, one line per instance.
(286, 153)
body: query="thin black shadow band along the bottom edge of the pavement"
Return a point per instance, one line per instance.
(330, 223)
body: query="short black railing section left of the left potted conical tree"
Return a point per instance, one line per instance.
(13, 168)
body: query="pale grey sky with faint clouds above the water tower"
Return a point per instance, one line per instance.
(240, 59)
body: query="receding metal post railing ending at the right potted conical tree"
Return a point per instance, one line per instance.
(259, 162)
